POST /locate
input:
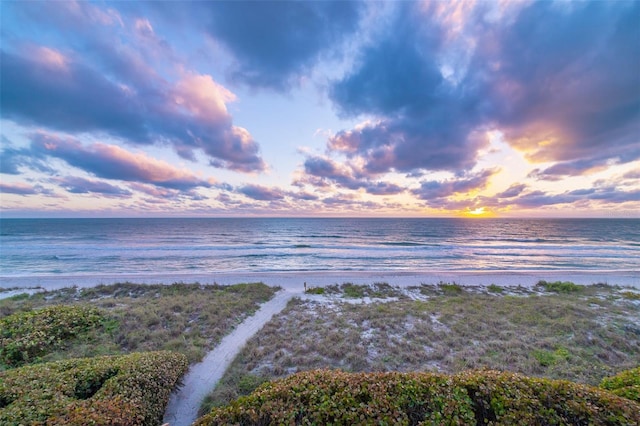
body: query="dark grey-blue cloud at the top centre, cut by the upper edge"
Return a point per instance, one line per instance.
(275, 42)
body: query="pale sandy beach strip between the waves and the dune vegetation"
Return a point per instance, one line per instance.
(294, 280)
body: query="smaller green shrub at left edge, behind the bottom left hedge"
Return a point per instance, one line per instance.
(25, 336)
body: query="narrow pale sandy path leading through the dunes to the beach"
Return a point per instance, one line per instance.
(183, 406)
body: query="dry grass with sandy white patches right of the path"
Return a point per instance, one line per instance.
(582, 335)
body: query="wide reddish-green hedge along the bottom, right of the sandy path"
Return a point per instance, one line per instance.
(470, 398)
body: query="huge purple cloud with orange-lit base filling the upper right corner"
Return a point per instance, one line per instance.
(565, 82)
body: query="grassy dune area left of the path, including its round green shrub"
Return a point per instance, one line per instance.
(124, 318)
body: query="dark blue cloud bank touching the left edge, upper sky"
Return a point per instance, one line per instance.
(67, 97)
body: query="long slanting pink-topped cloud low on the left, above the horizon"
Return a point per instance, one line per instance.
(113, 162)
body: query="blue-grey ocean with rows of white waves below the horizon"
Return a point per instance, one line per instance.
(50, 247)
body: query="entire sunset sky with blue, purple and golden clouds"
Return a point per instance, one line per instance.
(296, 108)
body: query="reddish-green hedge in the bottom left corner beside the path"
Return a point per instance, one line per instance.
(124, 390)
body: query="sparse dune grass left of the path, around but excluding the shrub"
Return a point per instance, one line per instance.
(186, 318)
